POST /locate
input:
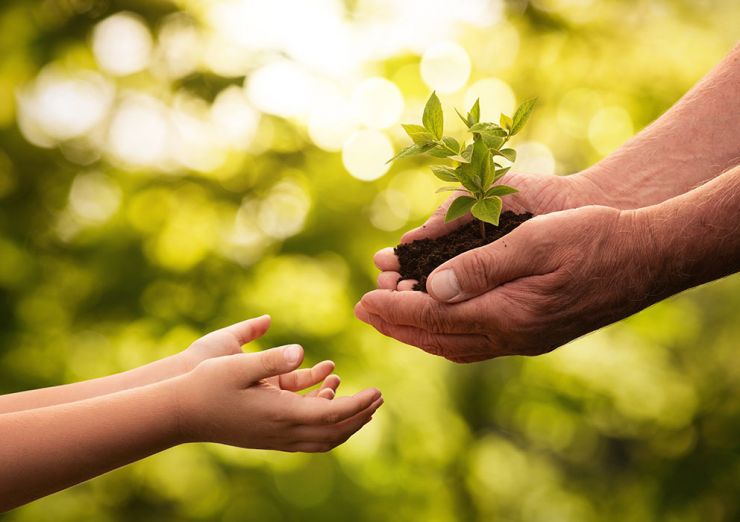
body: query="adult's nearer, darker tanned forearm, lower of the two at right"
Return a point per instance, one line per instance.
(695, 236)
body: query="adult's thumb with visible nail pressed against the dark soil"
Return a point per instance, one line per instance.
(480, 270)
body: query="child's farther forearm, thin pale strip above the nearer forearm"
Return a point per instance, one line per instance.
(150, 373)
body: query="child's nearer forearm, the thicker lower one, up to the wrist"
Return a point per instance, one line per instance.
(47, 449)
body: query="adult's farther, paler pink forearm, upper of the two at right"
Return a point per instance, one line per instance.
(694, 141)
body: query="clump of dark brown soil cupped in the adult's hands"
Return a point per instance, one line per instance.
(419, 258)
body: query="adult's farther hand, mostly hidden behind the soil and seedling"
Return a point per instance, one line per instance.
(538, 194)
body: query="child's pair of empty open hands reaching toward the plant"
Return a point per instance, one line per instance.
(250, 400)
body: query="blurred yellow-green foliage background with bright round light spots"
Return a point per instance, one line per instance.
(146, 198)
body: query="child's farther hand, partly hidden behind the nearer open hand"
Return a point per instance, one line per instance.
(229, 341)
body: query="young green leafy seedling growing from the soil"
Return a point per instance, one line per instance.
(477, 170)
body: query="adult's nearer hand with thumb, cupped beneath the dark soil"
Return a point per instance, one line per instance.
(554, 278)
